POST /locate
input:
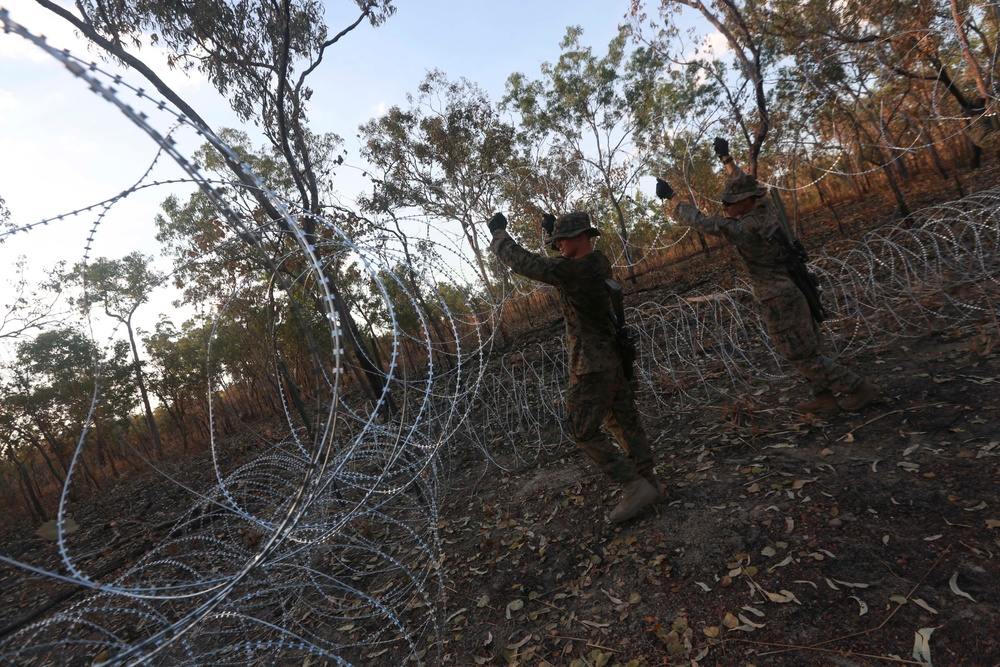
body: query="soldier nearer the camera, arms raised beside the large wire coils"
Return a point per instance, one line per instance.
(598, 390)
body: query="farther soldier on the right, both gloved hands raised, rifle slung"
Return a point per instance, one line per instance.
(752, 227)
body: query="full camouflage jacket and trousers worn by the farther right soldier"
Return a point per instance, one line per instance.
(783, 307)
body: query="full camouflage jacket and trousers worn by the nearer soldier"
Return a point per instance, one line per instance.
(598, 391)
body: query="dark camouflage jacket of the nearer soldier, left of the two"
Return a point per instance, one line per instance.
(590, 334)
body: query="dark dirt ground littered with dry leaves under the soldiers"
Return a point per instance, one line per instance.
(865, 539)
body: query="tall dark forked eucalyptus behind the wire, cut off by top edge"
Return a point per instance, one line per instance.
(259, 54)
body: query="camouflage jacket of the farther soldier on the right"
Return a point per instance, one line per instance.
(753, 235)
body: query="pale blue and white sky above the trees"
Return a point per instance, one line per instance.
(65, 148)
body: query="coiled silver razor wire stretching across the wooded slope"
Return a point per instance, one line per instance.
(326, 543)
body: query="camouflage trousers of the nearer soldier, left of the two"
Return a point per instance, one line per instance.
(607, 398)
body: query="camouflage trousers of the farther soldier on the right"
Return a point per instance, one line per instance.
(797, 336)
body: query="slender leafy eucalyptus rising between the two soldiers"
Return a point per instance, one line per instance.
(585, 107)
